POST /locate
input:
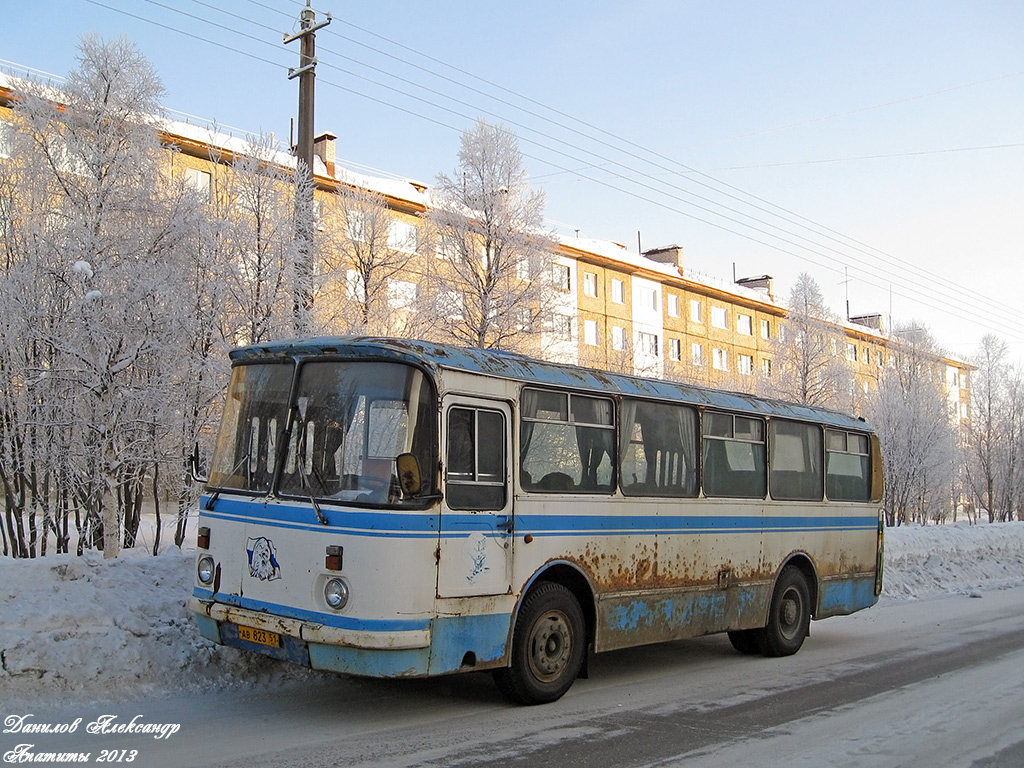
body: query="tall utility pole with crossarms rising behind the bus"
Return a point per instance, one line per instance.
(307, 73)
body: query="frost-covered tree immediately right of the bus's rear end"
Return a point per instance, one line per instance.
(919, 436)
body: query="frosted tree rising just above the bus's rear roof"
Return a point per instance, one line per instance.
(808, 370)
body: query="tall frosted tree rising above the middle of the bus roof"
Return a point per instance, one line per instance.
(490, 285)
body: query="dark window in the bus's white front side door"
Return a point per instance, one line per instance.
(477, 463)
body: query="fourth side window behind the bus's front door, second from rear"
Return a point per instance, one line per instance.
(796, 458)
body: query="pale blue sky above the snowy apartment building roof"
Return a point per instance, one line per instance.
(878, 146)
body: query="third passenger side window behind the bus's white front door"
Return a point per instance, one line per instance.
(735, 456)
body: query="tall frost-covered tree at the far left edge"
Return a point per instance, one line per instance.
(89, 304)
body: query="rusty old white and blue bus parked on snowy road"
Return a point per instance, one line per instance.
(393, 508)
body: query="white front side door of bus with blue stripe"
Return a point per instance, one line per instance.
(478, 524)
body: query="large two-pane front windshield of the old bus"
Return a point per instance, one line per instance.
(350, 421)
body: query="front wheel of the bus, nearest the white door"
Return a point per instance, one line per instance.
(548, 647)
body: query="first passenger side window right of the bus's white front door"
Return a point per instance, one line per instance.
(567, 443)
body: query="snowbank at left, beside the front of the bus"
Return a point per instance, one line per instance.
(91, 628)
